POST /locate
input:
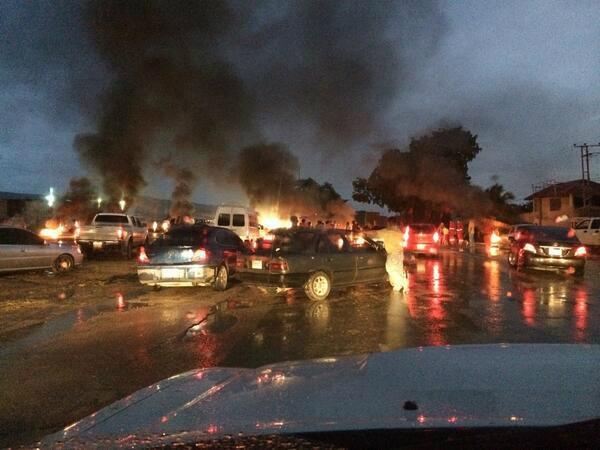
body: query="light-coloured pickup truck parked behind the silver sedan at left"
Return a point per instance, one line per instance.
(111, 231)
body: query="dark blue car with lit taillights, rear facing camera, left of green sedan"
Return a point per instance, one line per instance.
(196, 255)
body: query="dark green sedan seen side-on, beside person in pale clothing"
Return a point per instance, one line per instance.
(316, 260)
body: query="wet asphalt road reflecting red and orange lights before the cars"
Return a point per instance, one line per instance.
(126, 336)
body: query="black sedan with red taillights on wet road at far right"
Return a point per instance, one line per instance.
(549, 248)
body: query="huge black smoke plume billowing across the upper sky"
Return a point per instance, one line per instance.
(201, 77)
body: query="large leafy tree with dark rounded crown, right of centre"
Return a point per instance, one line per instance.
(428, 180)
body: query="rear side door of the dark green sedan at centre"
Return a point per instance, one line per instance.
(335, 257)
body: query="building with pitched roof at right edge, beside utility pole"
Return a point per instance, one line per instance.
(557, 200)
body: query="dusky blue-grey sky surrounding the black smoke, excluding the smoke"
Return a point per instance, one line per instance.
(523, 76)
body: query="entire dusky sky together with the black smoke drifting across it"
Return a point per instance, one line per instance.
(326, 78)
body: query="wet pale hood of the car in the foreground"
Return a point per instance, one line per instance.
(454, 386)
